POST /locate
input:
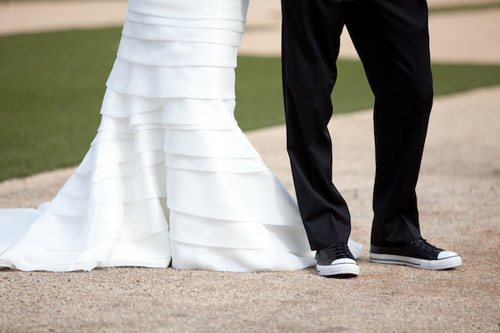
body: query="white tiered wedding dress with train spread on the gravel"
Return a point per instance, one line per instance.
(170, 177)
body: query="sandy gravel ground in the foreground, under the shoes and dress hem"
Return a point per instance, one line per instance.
(459, 203)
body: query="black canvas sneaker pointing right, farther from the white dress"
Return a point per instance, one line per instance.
(417, 253)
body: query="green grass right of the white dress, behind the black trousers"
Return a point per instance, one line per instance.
(259, 99)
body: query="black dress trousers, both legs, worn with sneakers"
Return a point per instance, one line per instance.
(392, 40)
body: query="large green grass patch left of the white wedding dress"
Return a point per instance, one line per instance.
(50, 90)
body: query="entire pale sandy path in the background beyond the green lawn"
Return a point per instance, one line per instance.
(465, 36)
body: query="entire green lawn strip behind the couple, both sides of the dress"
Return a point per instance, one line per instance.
(51, 87)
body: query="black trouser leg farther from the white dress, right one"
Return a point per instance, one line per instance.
(391, 37)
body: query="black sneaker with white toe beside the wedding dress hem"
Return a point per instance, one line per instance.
(336, 261)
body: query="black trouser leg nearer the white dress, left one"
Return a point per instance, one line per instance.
(311, 39)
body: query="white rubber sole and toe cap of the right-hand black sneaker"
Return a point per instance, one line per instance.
(391, 259)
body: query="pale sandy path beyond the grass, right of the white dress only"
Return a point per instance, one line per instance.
(464, 36)
